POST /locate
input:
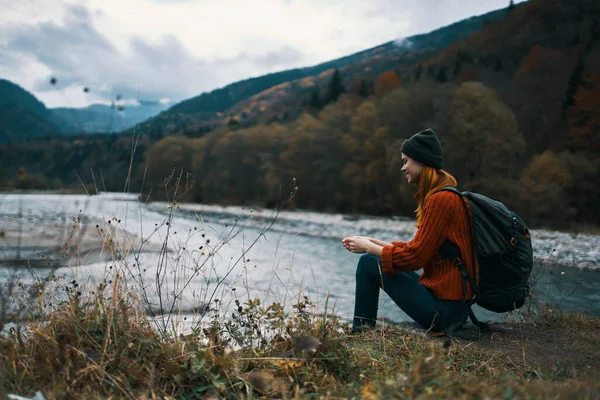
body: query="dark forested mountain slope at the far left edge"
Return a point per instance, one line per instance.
(22, 116)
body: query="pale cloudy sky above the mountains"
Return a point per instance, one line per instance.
(176, 49)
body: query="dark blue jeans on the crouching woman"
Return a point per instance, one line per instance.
(417, 301)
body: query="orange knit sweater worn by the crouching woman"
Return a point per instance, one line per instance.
(445, 218)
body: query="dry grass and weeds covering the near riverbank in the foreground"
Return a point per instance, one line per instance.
(106, 348)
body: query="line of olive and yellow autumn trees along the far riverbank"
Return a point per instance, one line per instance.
(346, 158)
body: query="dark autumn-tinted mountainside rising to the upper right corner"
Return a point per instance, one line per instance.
(541, 57)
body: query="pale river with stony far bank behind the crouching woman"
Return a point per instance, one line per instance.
(227, 253)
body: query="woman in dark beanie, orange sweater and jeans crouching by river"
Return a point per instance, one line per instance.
(433, 299)
